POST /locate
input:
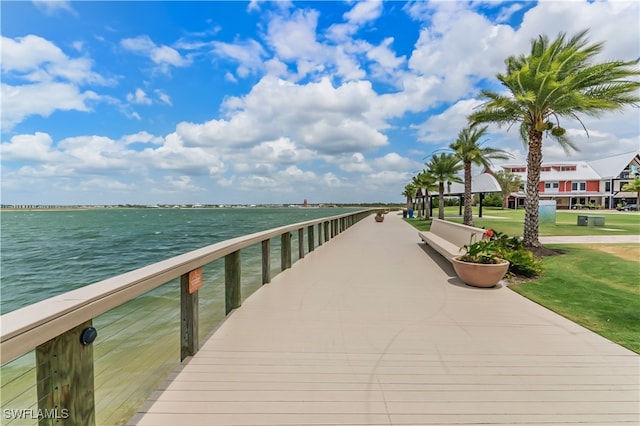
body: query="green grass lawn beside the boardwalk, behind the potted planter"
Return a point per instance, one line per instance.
(596, 286)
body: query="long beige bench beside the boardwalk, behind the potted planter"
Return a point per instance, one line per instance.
(447, 238)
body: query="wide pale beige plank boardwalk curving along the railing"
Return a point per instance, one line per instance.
(374, 328)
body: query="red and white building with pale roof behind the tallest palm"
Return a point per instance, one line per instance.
(577, 184)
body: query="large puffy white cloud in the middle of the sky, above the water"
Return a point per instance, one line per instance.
(315, 116)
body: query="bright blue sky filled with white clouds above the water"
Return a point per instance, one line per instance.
(268, 102)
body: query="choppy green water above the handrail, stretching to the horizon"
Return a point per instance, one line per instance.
(46, 253)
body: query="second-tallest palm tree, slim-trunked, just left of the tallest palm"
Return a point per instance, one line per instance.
(470, 151)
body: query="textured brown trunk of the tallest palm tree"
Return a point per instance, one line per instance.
(532, 200)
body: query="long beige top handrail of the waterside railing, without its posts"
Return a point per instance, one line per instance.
(26, 328)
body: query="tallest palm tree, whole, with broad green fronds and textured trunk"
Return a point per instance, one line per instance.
(556, 80)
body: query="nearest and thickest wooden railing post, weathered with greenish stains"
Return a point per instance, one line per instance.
(64, 372)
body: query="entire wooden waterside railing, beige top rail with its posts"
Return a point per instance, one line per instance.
(60, 328)
